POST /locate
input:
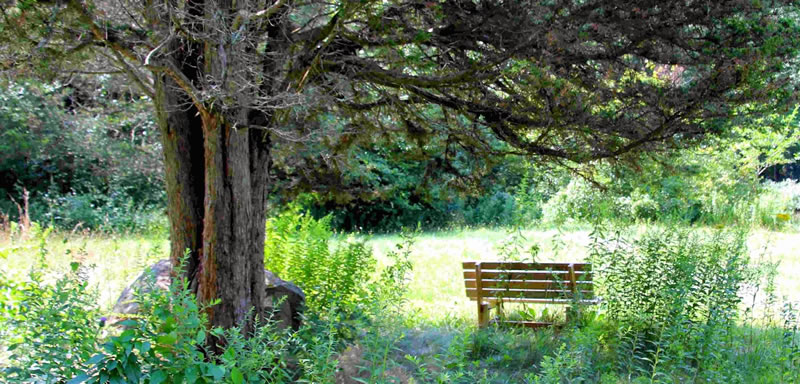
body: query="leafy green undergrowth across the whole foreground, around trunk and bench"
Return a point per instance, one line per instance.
(679, 306)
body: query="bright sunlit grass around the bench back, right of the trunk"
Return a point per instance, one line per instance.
(437, 284)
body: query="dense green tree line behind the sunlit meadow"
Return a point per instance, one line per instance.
(88, 152)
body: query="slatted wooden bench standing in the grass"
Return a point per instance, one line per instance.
(492, 283)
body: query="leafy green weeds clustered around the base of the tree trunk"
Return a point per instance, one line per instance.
(52, 331)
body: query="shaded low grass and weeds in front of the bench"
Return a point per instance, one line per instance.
(591, 350)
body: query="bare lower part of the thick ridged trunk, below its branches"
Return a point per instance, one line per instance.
(217, 182)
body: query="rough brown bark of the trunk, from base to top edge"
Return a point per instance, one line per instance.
(216, 173)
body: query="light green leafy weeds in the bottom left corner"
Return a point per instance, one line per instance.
(48, 329)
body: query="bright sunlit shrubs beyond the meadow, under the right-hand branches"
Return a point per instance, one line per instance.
(718, 182)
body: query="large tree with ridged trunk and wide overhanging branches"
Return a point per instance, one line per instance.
(575, 80)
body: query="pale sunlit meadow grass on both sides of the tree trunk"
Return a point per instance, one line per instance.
(436, 288)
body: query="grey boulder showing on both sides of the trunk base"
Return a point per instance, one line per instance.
(288, 297)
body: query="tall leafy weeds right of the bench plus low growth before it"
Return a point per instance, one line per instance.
(674, 311)
